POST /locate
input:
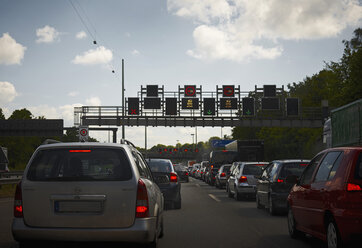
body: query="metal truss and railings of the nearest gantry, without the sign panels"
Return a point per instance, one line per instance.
(112, 115)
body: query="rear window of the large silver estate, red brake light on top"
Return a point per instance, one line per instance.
(83, 164)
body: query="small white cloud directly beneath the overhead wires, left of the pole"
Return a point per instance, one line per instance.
(100, 55)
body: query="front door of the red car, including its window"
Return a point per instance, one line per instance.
(300, 205)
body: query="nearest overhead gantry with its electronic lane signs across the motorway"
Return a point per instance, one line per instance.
(190, 105)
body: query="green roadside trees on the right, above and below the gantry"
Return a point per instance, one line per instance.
(339, 82)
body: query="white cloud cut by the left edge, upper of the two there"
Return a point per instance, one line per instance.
(11, 52)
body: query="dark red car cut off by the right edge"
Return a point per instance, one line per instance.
(326, 202)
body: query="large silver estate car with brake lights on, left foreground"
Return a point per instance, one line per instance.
(88, 192)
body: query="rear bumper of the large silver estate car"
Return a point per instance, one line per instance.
(142, 231)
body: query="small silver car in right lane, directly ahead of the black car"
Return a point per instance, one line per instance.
(242, 180)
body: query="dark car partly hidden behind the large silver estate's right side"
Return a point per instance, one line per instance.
(170, 188)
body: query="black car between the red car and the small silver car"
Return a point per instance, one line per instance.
(272, 190)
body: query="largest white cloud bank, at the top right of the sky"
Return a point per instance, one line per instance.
(237, 29)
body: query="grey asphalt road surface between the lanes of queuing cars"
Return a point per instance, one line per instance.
(208, 218)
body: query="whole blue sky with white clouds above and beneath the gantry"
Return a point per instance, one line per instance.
(49, 63)
